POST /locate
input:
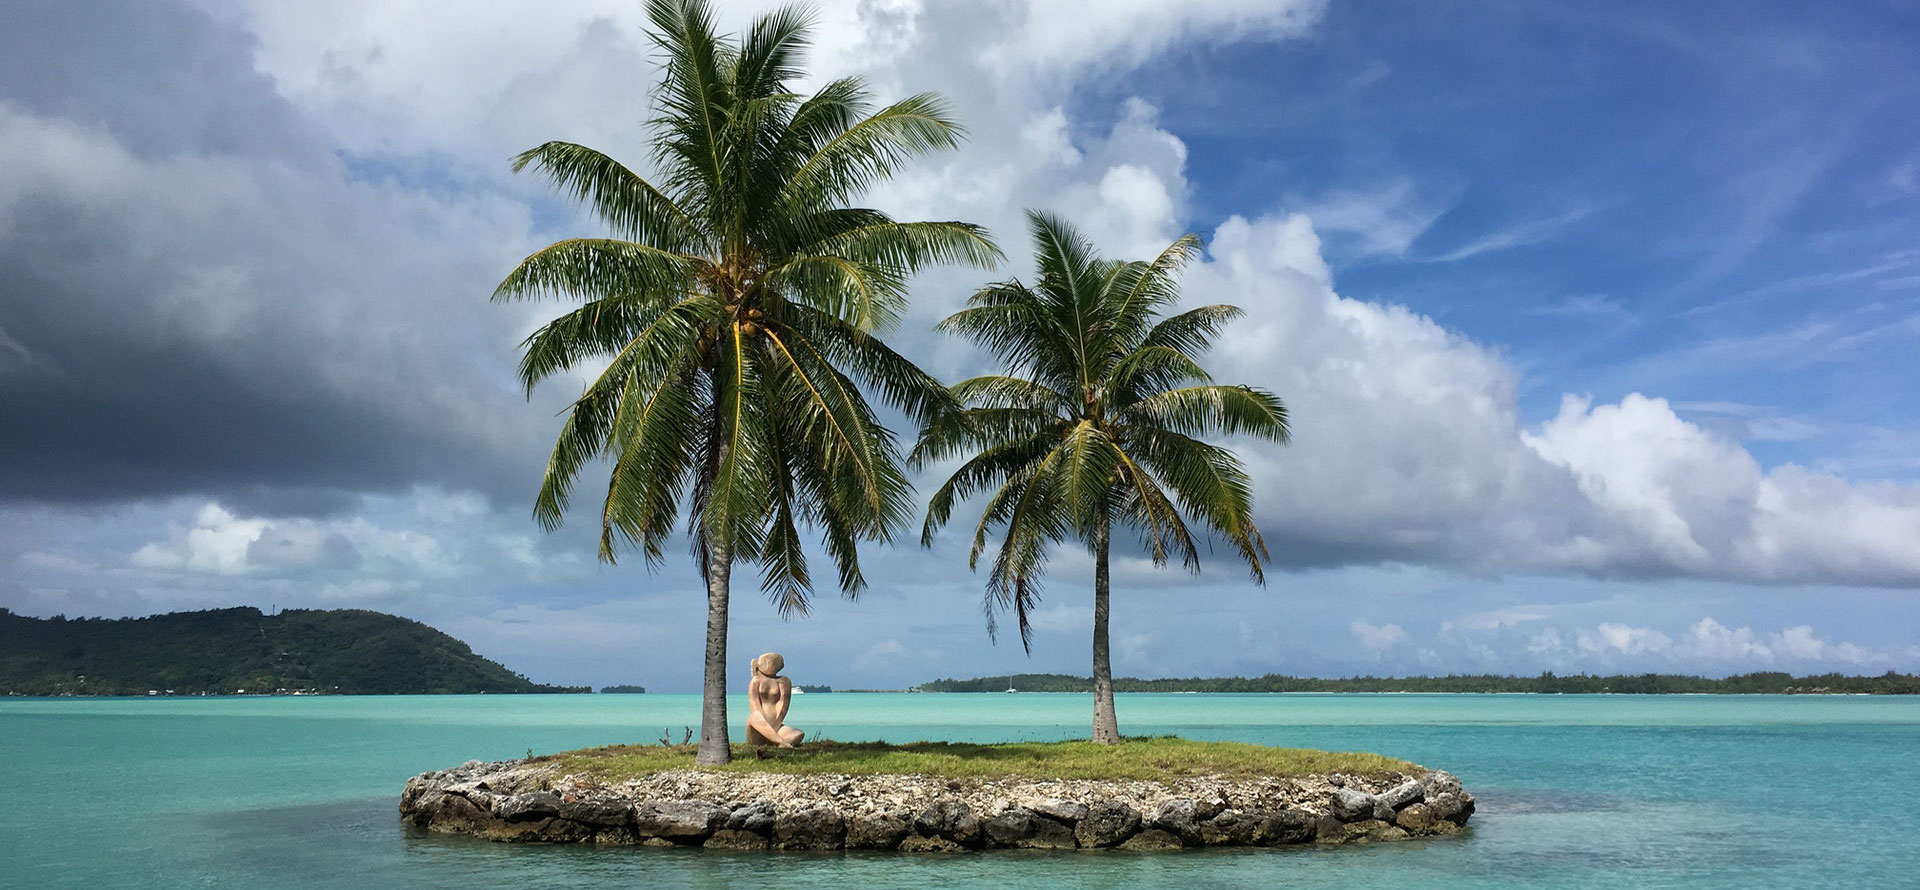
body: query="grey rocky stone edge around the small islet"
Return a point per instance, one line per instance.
(533, 803)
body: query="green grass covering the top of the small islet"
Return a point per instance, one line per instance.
(1134, 759)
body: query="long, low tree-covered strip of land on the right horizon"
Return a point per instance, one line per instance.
(1548, 684)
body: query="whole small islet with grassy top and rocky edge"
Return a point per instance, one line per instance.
(944, 797)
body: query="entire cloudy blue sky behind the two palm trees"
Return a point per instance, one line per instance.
(1596, 323)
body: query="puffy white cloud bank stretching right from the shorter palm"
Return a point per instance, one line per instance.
(1408, 448)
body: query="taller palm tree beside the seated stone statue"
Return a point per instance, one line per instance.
(734, 308)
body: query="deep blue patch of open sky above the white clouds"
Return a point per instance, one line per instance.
(1714, 202)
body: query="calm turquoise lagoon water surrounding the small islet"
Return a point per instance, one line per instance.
(1575, 791)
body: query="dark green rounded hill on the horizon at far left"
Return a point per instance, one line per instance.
(239, 649)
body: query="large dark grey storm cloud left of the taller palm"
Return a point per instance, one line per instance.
(197, 298)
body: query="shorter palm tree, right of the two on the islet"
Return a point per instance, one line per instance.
(1095, 425)
